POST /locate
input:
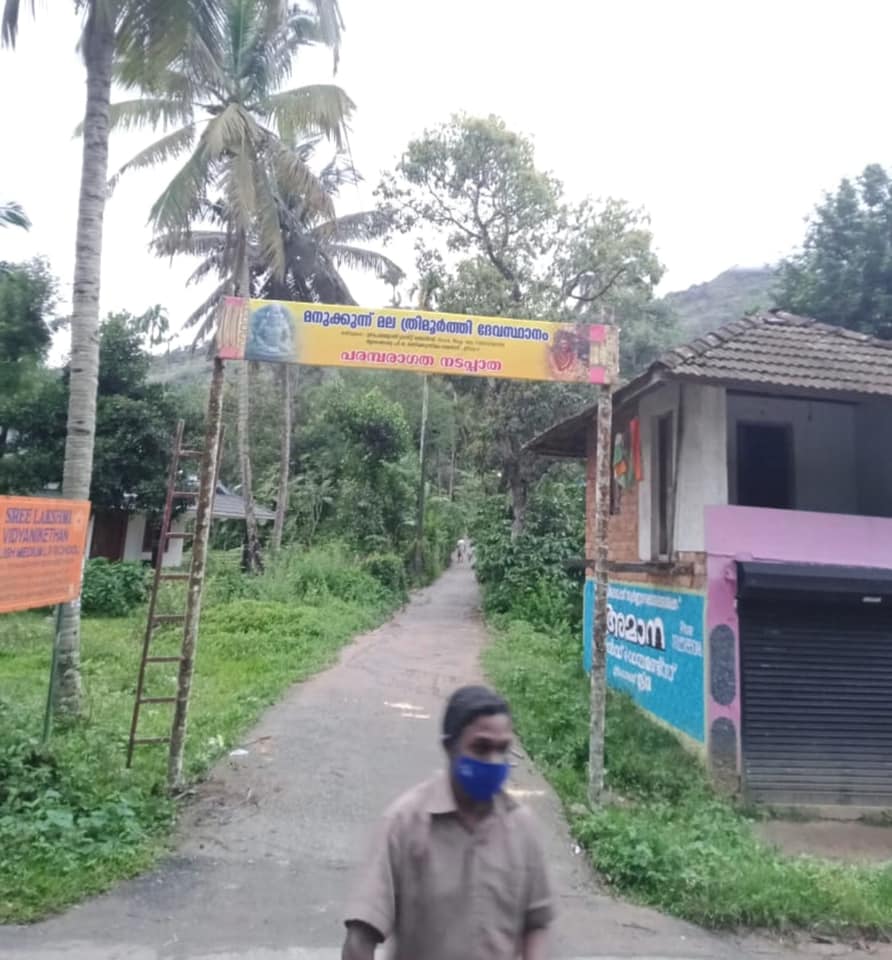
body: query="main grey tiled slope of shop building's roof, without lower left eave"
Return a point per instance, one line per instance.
(783, 350)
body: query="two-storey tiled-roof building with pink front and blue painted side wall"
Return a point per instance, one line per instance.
(750, 554)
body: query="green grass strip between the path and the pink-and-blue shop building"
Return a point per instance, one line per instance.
(665, 838)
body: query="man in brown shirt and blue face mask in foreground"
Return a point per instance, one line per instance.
(456, 871)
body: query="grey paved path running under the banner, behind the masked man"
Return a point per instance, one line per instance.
(266, 853)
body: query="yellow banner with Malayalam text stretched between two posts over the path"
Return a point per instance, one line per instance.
(323, 335)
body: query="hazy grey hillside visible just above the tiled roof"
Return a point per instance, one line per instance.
(728, 296)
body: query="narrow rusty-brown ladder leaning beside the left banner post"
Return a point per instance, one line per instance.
(155, 620)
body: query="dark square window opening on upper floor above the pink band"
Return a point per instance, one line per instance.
(765, 465)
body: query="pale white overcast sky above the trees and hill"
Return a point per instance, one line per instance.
(725, 120)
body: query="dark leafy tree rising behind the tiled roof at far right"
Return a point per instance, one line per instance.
(843, 272)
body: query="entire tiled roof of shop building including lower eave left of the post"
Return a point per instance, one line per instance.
(768, 350)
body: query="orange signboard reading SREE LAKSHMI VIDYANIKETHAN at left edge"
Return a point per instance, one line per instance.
(41, 551)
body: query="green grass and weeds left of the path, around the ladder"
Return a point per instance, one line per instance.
(73, 820)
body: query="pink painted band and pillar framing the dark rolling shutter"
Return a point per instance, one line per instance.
(791, 536)
